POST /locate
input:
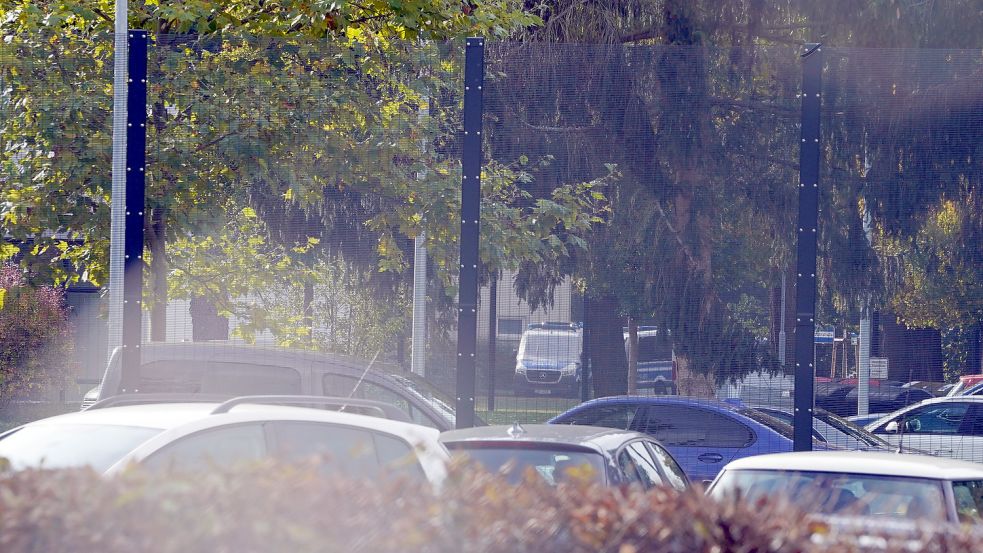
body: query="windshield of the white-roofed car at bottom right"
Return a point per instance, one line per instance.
(839, 493)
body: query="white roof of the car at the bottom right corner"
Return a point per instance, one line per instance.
(863, 462)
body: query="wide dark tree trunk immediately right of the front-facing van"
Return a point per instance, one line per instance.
(607, 349)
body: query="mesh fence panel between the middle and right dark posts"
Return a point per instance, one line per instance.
(693, 153)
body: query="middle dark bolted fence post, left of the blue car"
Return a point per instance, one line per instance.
(467, 314)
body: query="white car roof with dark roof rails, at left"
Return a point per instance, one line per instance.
(167, 416)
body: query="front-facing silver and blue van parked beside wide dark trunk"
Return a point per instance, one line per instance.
(547, 362)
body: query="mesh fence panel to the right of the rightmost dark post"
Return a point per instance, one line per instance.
(901, 230)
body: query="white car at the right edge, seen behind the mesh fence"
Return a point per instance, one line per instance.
(945, 426)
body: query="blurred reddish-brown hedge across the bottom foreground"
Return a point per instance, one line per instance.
(267, 508)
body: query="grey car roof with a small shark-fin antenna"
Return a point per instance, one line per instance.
(598, 438)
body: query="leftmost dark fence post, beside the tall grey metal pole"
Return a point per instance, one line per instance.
(136, 146)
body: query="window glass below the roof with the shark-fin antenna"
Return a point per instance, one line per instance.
(551, 464)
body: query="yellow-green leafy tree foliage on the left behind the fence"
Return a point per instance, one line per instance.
(304, 115)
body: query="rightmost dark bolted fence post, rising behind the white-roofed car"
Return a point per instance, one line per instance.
(805, 283)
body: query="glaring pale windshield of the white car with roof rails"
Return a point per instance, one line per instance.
(55, 446)
